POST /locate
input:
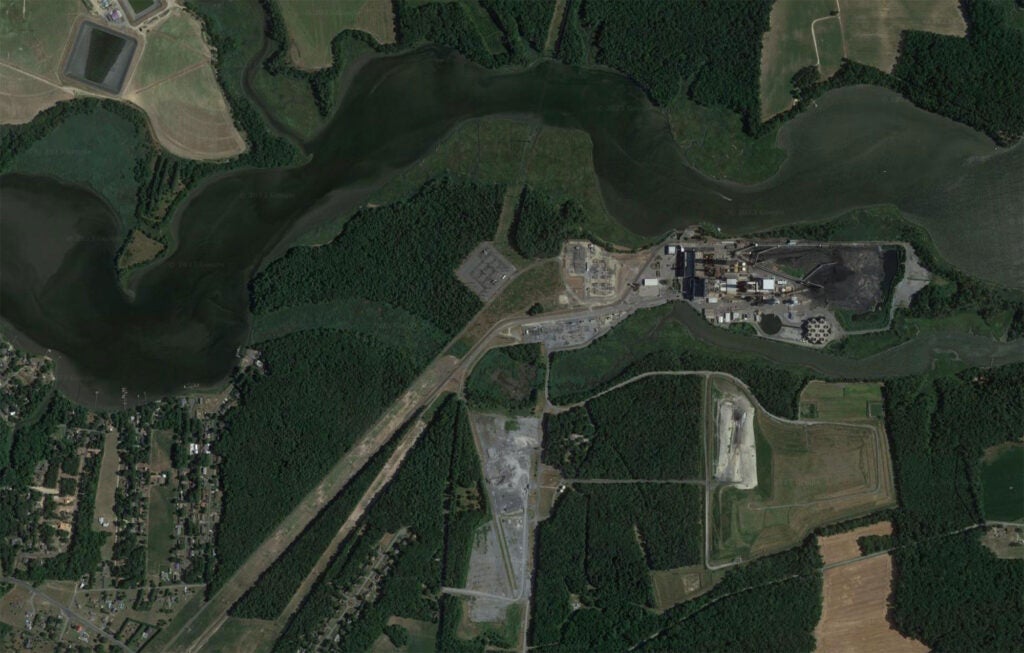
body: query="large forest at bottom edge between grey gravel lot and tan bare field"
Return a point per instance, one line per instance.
(586, 550)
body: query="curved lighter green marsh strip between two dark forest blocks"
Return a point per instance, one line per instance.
(393, 326)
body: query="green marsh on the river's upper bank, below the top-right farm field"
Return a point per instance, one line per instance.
(713, 142)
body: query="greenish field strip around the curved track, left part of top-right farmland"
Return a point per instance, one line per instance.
(788, 48)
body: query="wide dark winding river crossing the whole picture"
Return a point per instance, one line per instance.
(189, 314)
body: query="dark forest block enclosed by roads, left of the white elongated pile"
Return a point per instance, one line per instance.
(651, 429)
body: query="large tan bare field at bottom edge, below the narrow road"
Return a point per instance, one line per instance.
(855, 607)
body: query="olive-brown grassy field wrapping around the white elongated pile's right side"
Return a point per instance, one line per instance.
(808, 475)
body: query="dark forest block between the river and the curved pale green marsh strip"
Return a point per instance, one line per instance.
(402, 254)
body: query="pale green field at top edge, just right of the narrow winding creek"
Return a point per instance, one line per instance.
(313, 25)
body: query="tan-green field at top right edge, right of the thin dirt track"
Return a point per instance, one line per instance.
(872, 29)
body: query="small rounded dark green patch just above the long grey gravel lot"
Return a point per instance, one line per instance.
(507, 379)
